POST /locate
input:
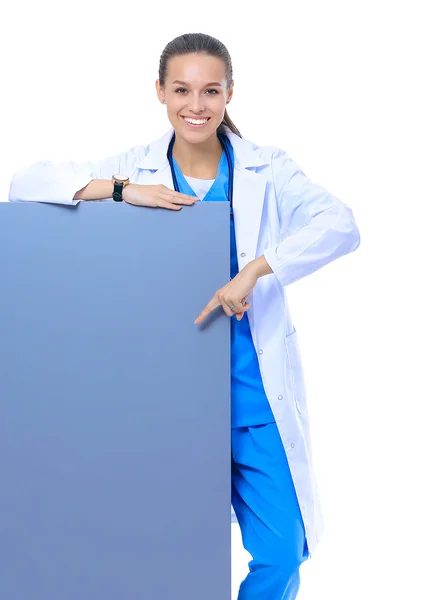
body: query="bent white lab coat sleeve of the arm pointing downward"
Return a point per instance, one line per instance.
(316, 227)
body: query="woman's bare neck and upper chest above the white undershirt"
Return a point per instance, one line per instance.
(198, 160)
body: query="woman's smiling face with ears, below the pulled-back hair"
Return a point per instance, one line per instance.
(195, 88)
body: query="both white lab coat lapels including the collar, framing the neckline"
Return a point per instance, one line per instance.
(249, 188)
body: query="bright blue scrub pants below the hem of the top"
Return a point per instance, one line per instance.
(267, 509)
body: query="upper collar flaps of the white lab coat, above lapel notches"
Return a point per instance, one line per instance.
(245, 156)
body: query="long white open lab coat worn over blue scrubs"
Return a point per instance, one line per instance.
(298, 226)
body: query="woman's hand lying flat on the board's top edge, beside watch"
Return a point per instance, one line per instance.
(156, 196)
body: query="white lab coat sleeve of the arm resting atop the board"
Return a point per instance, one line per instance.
(46, 181)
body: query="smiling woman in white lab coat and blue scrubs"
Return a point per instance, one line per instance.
(283, 227)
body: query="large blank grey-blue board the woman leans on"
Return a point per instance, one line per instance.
(114, 407)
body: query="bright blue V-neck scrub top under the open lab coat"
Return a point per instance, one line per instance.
(249, 403)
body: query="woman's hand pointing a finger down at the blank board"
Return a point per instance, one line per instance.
(233, 293)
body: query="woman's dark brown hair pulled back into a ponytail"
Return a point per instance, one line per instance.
(201, 43)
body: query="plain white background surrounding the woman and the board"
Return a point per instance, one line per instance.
(352, 91)
